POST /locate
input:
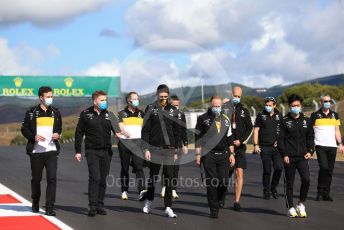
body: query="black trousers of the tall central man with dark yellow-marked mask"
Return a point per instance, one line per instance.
(161, 157)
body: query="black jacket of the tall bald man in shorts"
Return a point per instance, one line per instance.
(242, 129)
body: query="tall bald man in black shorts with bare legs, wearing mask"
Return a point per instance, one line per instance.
(242, 130)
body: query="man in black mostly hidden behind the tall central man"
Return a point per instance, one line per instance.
(182, 145)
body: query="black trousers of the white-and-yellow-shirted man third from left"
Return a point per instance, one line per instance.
(131, 151)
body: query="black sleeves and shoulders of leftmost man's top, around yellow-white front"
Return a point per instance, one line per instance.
(29, 127)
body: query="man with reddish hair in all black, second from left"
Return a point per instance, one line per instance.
(96, 124)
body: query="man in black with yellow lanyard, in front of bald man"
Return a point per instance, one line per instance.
(214, 142)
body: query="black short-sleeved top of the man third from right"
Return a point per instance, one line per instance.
(268, 126)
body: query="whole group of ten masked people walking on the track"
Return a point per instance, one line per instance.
(158, 137)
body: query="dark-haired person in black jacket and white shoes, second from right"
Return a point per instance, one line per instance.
(296, 143)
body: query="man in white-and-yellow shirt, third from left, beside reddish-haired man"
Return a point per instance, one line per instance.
(129, 146)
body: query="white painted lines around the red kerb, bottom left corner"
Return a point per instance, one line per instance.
(24, 208)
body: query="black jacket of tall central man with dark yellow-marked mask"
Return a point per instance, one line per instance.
(160, 126)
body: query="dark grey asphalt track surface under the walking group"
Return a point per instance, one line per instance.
(191, 208)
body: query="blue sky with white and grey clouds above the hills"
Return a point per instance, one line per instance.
(256, 43)
